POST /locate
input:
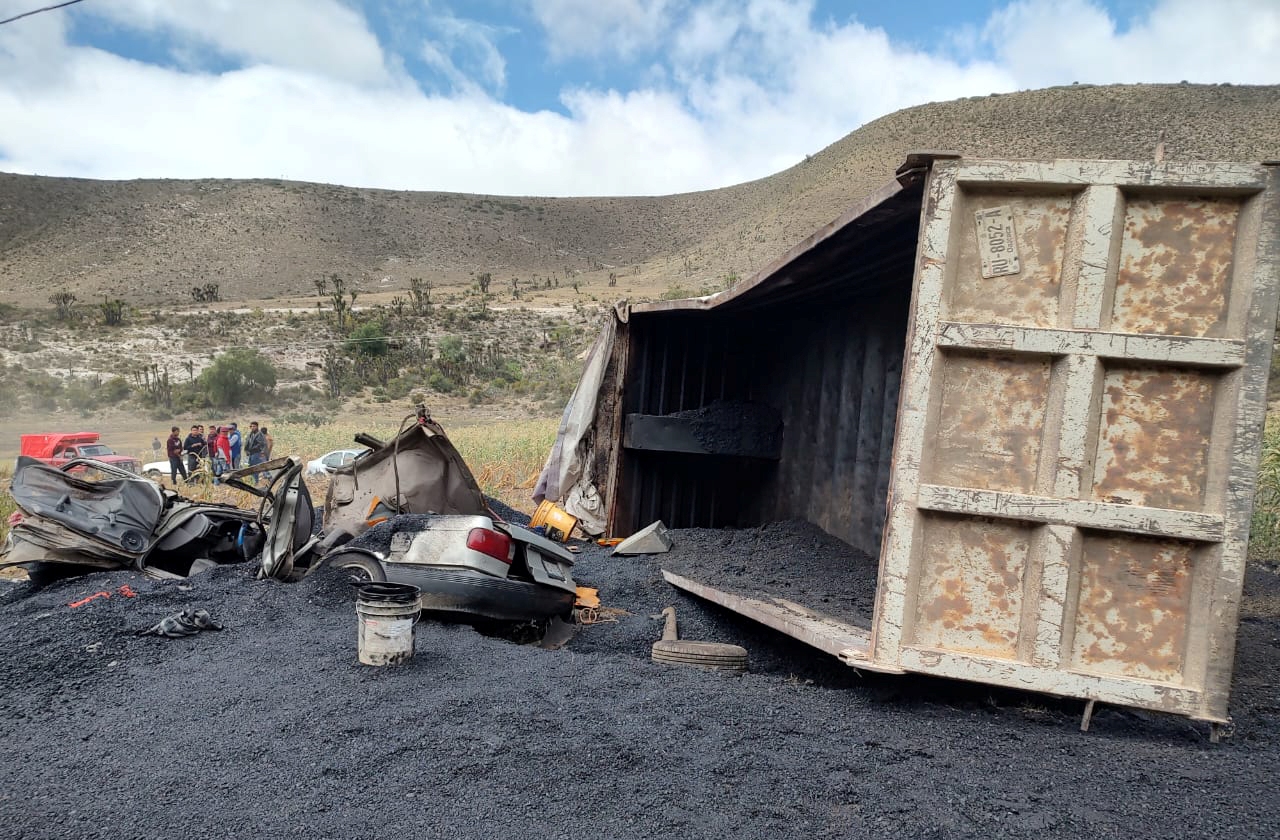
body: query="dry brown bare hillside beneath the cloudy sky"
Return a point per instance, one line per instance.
(150, 241)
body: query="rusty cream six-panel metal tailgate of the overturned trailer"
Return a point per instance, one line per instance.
(1080, 427)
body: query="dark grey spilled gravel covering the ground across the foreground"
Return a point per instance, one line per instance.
(272, 729)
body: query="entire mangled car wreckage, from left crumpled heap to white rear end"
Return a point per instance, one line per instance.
(408, 512)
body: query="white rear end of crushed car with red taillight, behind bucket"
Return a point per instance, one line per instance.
(467, 565)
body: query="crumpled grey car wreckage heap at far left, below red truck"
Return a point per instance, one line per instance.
(74, 524)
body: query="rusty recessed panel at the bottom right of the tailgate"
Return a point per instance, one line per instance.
(1135, 605)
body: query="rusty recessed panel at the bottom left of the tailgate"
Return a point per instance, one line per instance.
(972, 586)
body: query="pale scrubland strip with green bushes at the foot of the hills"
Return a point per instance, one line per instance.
(163, 363)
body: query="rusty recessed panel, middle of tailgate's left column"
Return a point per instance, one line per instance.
(991, 421)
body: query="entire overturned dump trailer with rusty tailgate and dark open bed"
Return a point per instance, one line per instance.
(1036, 390)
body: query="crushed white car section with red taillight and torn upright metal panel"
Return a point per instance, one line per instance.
(412, 512)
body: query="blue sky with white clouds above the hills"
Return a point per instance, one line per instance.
(554, 98)
